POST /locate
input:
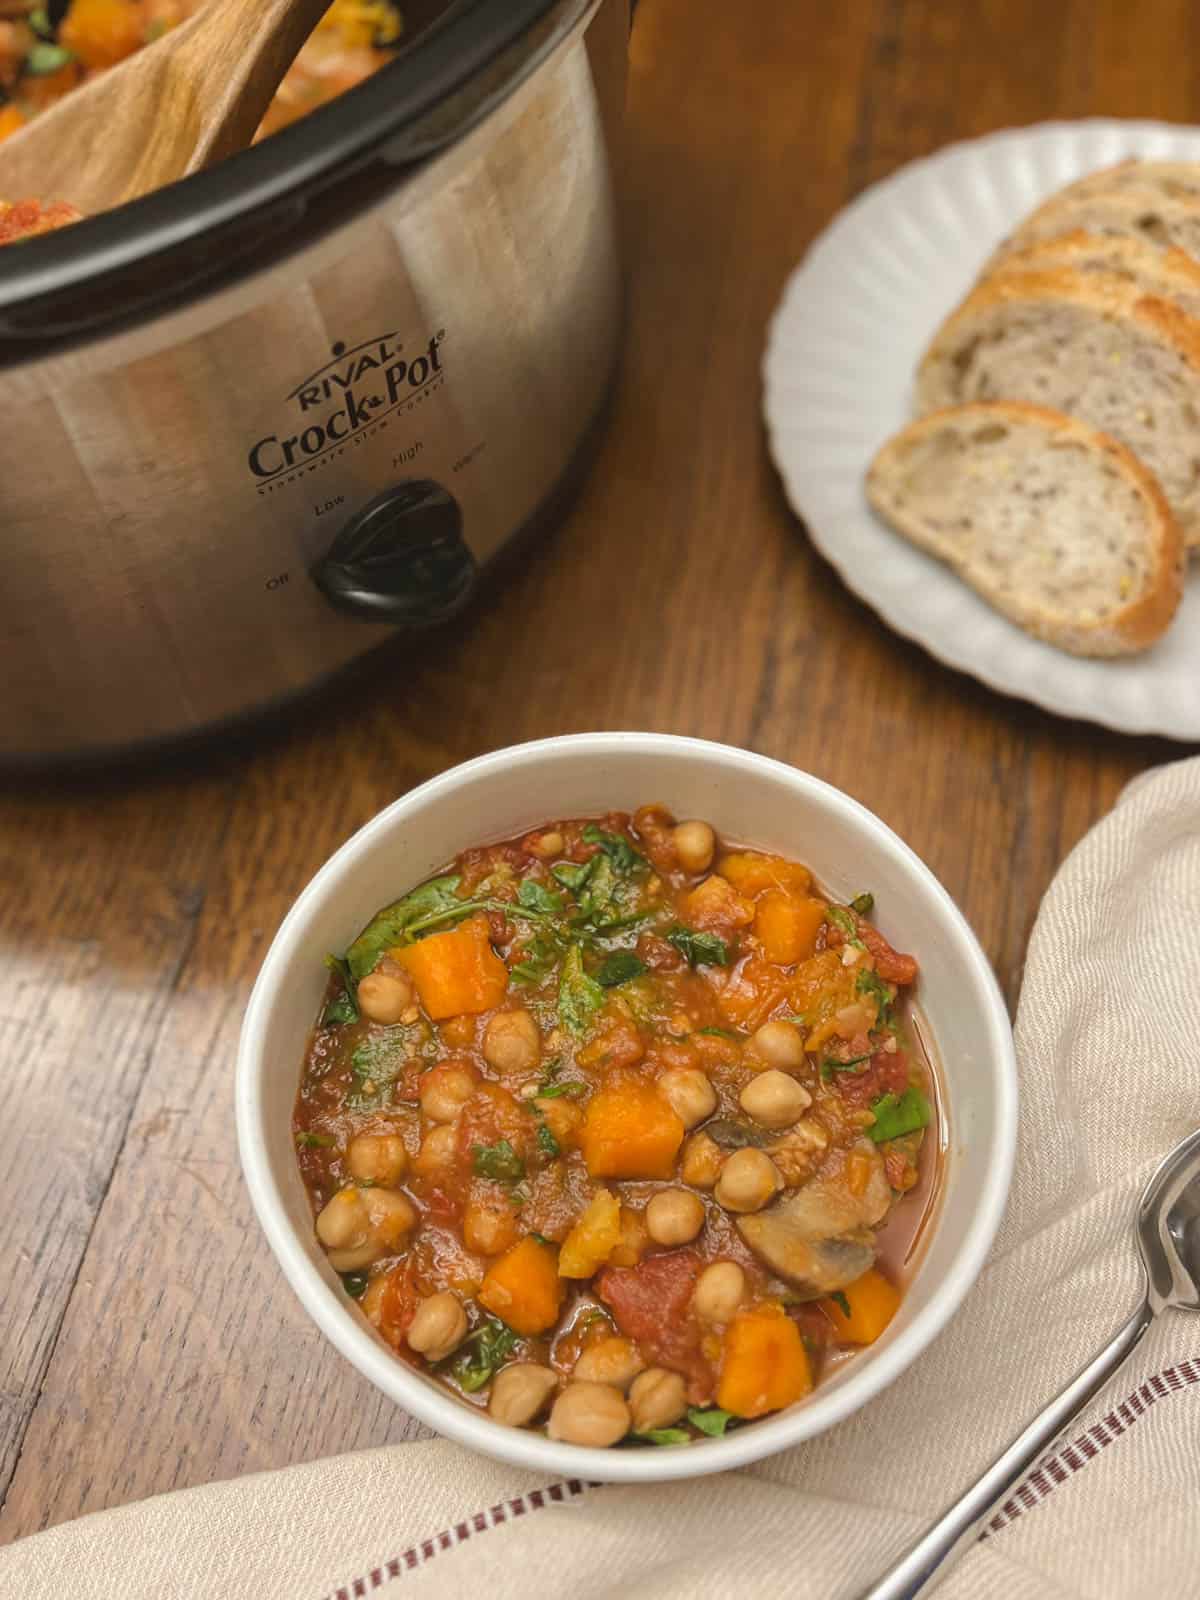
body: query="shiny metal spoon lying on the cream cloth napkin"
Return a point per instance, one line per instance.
(1169, 1241)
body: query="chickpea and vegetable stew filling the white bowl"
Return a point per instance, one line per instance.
(618, 1130)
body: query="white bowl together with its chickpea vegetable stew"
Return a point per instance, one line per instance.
(626, 1105)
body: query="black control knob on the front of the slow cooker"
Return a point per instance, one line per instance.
(402, 559)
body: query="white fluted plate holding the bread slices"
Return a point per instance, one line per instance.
(842, 350)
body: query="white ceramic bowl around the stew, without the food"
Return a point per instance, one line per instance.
(748, 799)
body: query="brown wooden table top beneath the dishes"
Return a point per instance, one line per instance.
(146, 1337)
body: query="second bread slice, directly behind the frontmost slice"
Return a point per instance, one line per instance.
(1094, 346)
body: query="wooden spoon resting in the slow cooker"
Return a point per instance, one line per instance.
(174, 108)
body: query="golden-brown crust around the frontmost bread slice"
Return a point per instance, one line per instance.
(1129, 631)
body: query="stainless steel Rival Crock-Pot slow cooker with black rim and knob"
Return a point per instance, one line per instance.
(260, 420)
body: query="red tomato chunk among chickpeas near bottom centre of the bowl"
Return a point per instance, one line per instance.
(652, 1305)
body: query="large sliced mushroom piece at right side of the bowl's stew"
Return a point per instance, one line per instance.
(820, 1238)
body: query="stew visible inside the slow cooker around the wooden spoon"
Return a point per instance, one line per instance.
(50, 47)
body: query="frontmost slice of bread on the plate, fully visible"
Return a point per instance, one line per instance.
(1054, 524)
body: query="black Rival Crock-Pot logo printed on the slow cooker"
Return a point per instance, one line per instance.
(345, 402)
